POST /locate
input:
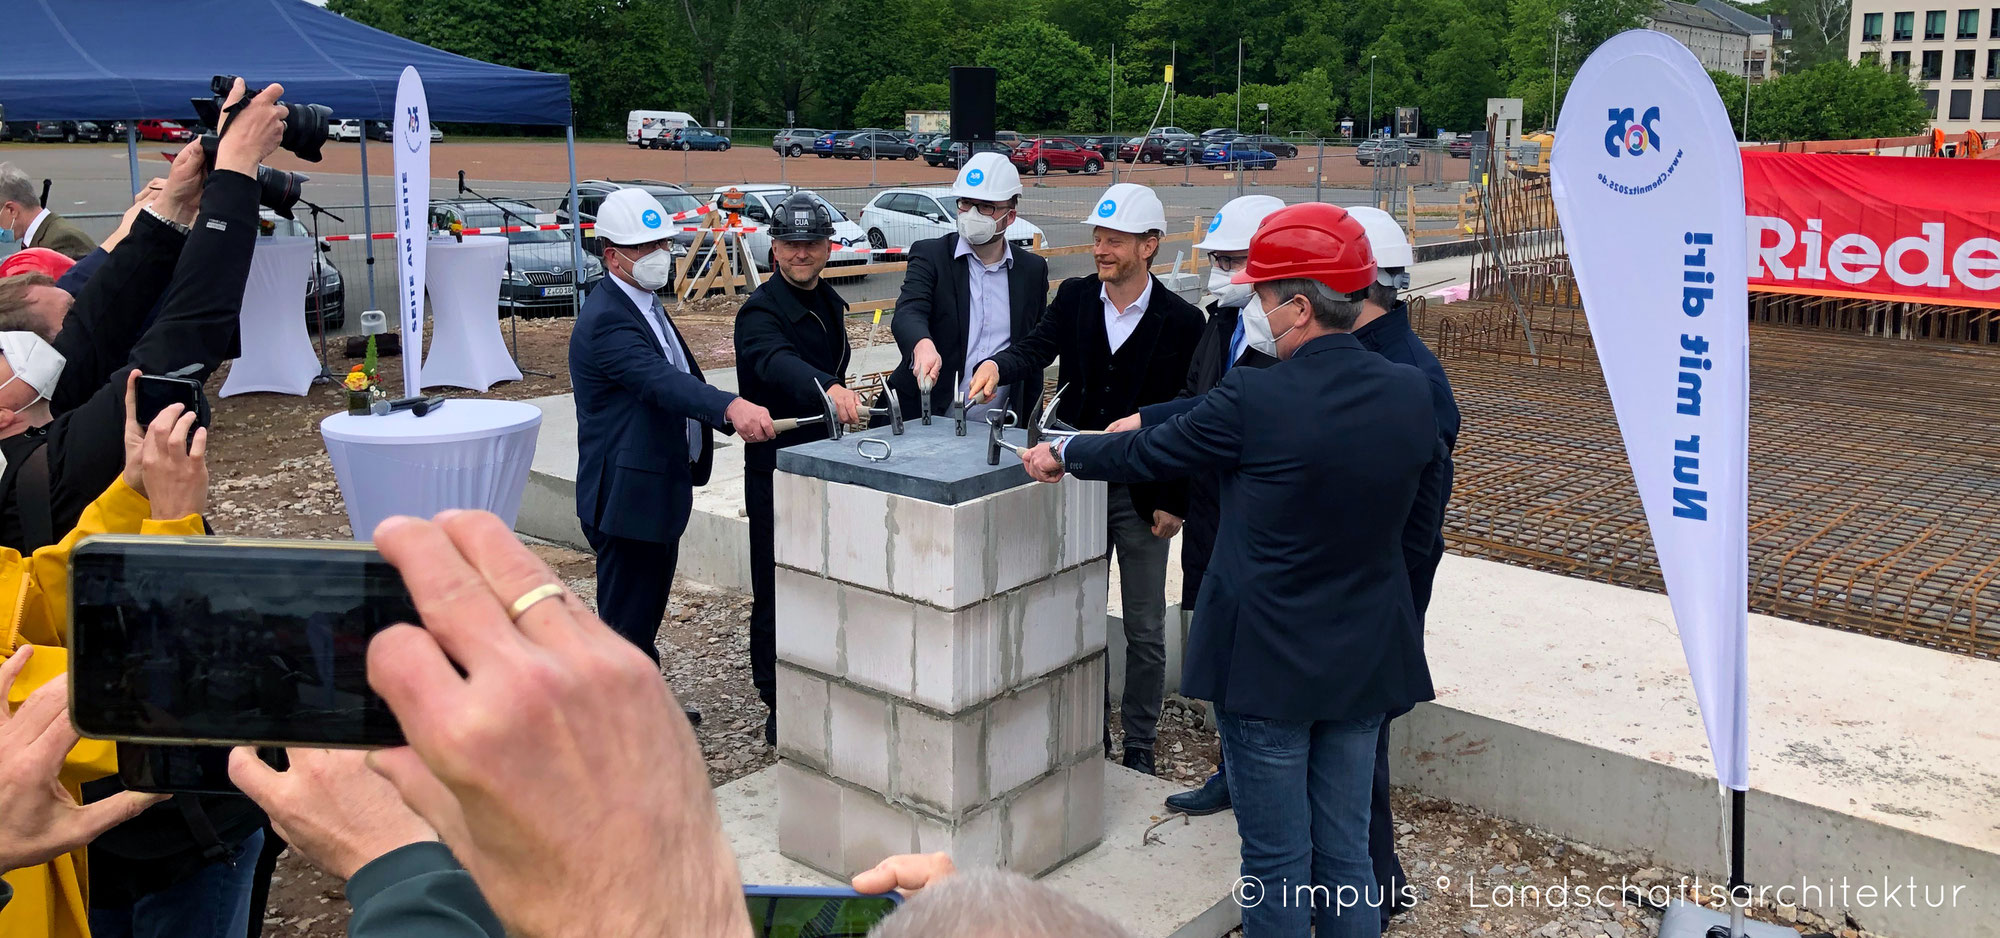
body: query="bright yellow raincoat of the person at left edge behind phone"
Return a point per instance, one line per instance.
(51, 901)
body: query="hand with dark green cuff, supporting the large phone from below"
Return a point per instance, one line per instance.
(331, 807)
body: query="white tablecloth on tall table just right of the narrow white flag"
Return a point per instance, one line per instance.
(465, 315)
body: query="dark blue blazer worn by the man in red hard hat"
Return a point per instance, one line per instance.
(1305, 613)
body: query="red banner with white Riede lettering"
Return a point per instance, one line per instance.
(1875, 227)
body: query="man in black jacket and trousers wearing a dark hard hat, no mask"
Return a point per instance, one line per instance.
(791, 341)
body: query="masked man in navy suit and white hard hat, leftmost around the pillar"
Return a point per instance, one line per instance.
(645, 419)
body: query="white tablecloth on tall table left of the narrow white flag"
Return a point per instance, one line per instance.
(277, 353)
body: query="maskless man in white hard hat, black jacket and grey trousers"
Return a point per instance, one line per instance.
(1125, 343)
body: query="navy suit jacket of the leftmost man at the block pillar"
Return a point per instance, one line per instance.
(633, 473)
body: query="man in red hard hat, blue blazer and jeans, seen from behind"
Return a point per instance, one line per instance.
(1305, 635)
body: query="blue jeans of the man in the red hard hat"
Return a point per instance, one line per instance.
(1301, 795)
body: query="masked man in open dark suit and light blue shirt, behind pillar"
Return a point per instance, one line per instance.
(969, 295)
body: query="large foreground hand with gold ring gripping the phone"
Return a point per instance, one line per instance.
(607, 821)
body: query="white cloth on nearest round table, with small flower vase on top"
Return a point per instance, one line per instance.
(465, 455)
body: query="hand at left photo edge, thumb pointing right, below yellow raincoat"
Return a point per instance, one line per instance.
(39, 821)
